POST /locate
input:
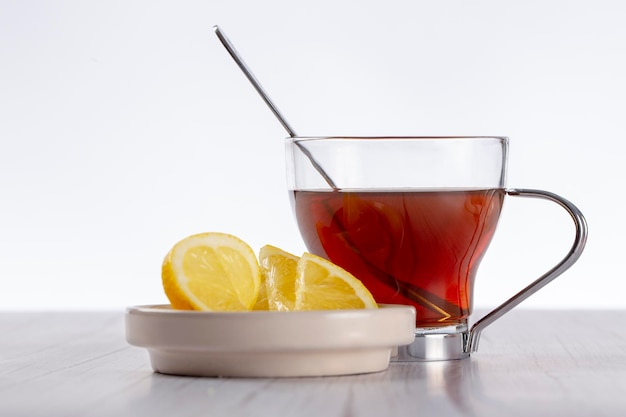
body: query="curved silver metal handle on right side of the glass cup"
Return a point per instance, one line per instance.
(569, 260)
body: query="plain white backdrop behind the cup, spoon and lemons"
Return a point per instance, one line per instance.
(125, 126)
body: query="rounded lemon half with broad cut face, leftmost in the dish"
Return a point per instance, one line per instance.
(211, 271)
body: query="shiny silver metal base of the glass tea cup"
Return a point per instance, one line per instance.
(435, 344)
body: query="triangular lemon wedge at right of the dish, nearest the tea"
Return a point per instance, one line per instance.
(322, 285)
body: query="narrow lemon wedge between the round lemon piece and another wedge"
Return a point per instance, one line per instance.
(279, 270)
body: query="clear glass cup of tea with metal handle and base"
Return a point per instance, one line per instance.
(412, 217)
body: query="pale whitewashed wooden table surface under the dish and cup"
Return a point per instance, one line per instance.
(530, 363)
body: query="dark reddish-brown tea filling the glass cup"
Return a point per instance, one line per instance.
(408, 247)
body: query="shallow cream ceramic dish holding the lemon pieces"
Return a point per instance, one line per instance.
(268, 343)
